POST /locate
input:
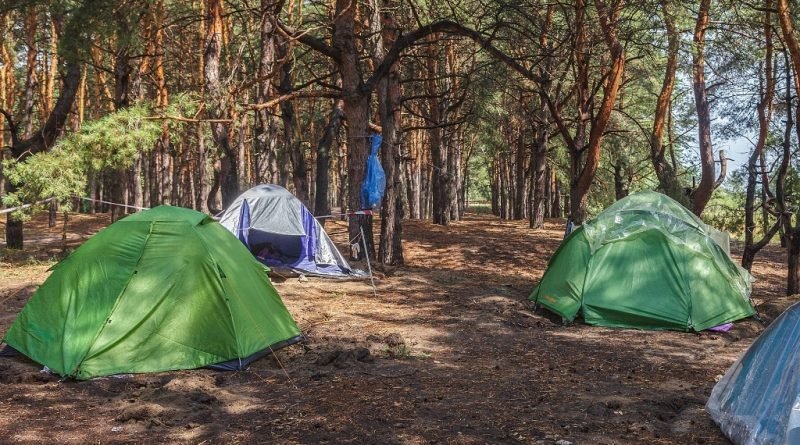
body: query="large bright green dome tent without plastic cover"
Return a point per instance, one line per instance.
(164, 289)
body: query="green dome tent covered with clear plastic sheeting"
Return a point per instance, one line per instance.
(645, 262)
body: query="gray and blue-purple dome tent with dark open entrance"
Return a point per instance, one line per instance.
(281, 233)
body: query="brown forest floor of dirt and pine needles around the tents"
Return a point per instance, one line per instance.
(448, 352)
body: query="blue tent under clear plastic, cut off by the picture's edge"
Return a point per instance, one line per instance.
(758, 400)
